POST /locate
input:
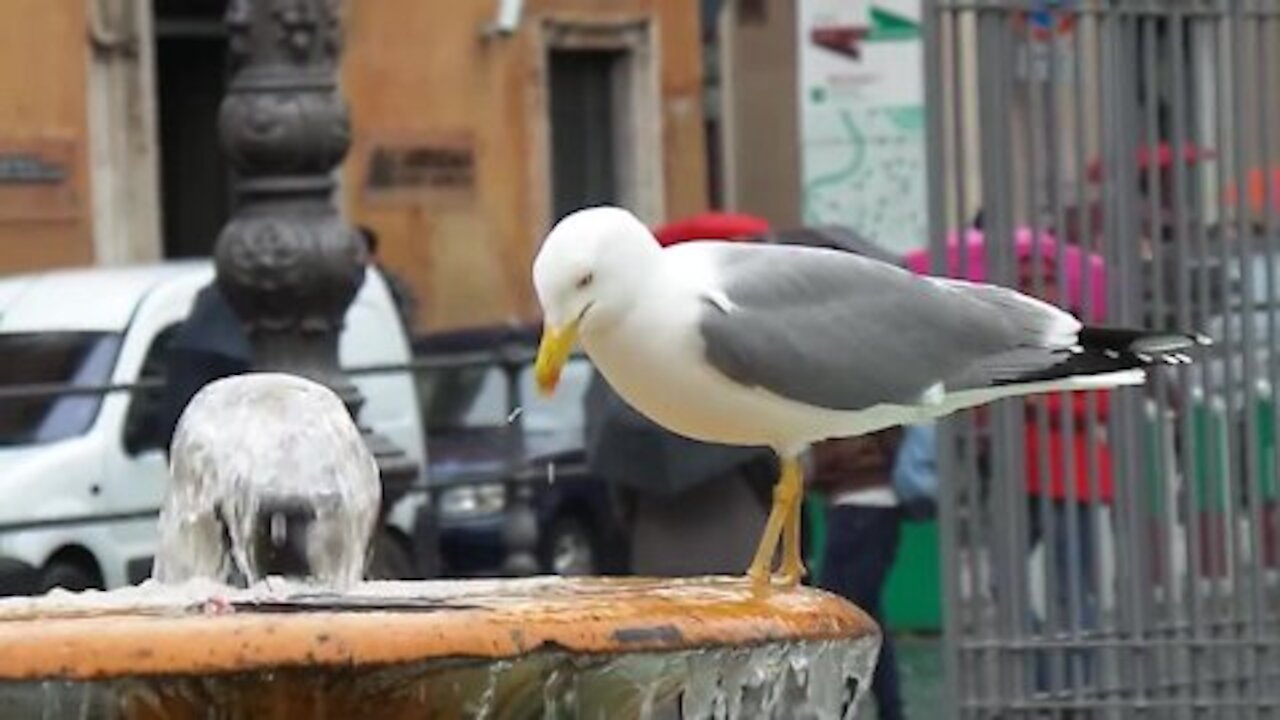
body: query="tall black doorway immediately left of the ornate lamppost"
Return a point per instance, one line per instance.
(191, 79)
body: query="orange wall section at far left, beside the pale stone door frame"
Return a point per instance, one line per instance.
(43, 108)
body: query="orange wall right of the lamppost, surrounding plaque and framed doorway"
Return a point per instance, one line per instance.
(419, 70)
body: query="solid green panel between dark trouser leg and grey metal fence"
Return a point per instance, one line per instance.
(913, 595)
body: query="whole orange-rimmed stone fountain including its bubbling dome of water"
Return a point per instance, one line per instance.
(258, 609)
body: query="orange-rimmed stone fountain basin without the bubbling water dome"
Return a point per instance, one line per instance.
(542, 648)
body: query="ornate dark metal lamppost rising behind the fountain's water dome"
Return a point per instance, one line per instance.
(287, 262)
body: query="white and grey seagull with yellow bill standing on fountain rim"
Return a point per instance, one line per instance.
(784, 347)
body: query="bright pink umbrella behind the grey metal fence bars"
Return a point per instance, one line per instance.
(1052, 254)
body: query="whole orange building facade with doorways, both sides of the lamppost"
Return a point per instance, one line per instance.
(476, 127)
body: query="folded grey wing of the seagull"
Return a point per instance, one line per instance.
(847, 332)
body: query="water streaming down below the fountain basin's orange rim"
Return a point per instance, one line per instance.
(719, 683)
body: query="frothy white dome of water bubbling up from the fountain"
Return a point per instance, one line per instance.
(269, 477)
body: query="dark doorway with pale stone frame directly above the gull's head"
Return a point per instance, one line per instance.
(584, 115)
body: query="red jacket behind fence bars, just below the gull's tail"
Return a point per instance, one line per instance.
(1081, 444)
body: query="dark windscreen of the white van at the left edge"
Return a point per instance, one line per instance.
(71, 359)
